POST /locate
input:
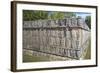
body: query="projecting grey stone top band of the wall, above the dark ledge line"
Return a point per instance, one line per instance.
(69, 22)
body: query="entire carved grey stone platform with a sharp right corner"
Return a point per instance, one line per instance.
(67, 38)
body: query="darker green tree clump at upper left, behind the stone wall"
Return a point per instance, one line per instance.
(29, 15)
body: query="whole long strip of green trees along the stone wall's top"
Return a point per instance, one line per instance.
(29, 15)
